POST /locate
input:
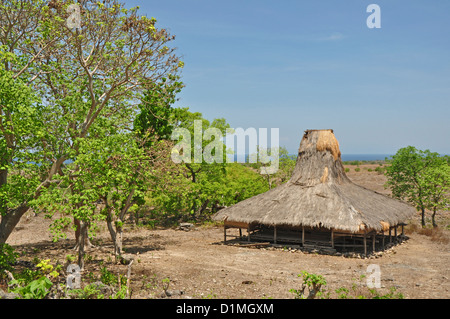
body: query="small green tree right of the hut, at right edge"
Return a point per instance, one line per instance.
(410, 176)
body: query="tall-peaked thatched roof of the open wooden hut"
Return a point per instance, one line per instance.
(319, 194)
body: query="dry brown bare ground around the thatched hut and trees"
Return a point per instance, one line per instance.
(197, 263)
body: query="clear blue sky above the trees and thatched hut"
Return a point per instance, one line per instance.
(313, 64)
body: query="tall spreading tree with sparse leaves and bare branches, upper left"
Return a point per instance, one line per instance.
(88, 80)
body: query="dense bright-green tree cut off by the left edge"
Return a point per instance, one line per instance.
(21, 128)
